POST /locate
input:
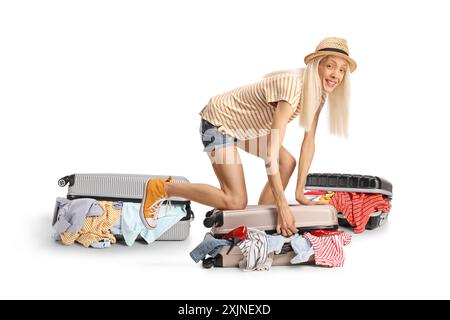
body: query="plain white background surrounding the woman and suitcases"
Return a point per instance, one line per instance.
(116, 87)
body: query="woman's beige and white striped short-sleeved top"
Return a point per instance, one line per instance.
(247, 112)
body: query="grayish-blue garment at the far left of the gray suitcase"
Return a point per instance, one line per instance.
(71, 213)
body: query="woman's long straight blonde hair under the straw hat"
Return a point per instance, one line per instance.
(312, 94)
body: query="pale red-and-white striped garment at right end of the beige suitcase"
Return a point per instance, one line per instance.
(329, 250)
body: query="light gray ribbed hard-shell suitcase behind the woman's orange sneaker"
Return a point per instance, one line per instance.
(126, 188)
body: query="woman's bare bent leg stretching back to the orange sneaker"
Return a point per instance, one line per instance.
(233, 193)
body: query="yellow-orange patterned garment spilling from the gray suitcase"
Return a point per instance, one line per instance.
(95, 228)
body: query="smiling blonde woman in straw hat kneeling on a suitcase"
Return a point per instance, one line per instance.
(254, 118)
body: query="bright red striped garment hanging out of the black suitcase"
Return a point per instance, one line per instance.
(357, 207)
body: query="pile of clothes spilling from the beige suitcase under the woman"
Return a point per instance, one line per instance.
(322, 247)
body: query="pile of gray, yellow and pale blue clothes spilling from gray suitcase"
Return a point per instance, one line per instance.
(96, 224)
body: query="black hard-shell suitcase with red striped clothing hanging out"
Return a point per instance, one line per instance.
(353, 183)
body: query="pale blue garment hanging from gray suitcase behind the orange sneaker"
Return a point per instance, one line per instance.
(132, 227)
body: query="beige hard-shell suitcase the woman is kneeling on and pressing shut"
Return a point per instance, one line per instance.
(264, 217)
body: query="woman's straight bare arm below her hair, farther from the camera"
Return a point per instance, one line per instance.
(306, 156)
